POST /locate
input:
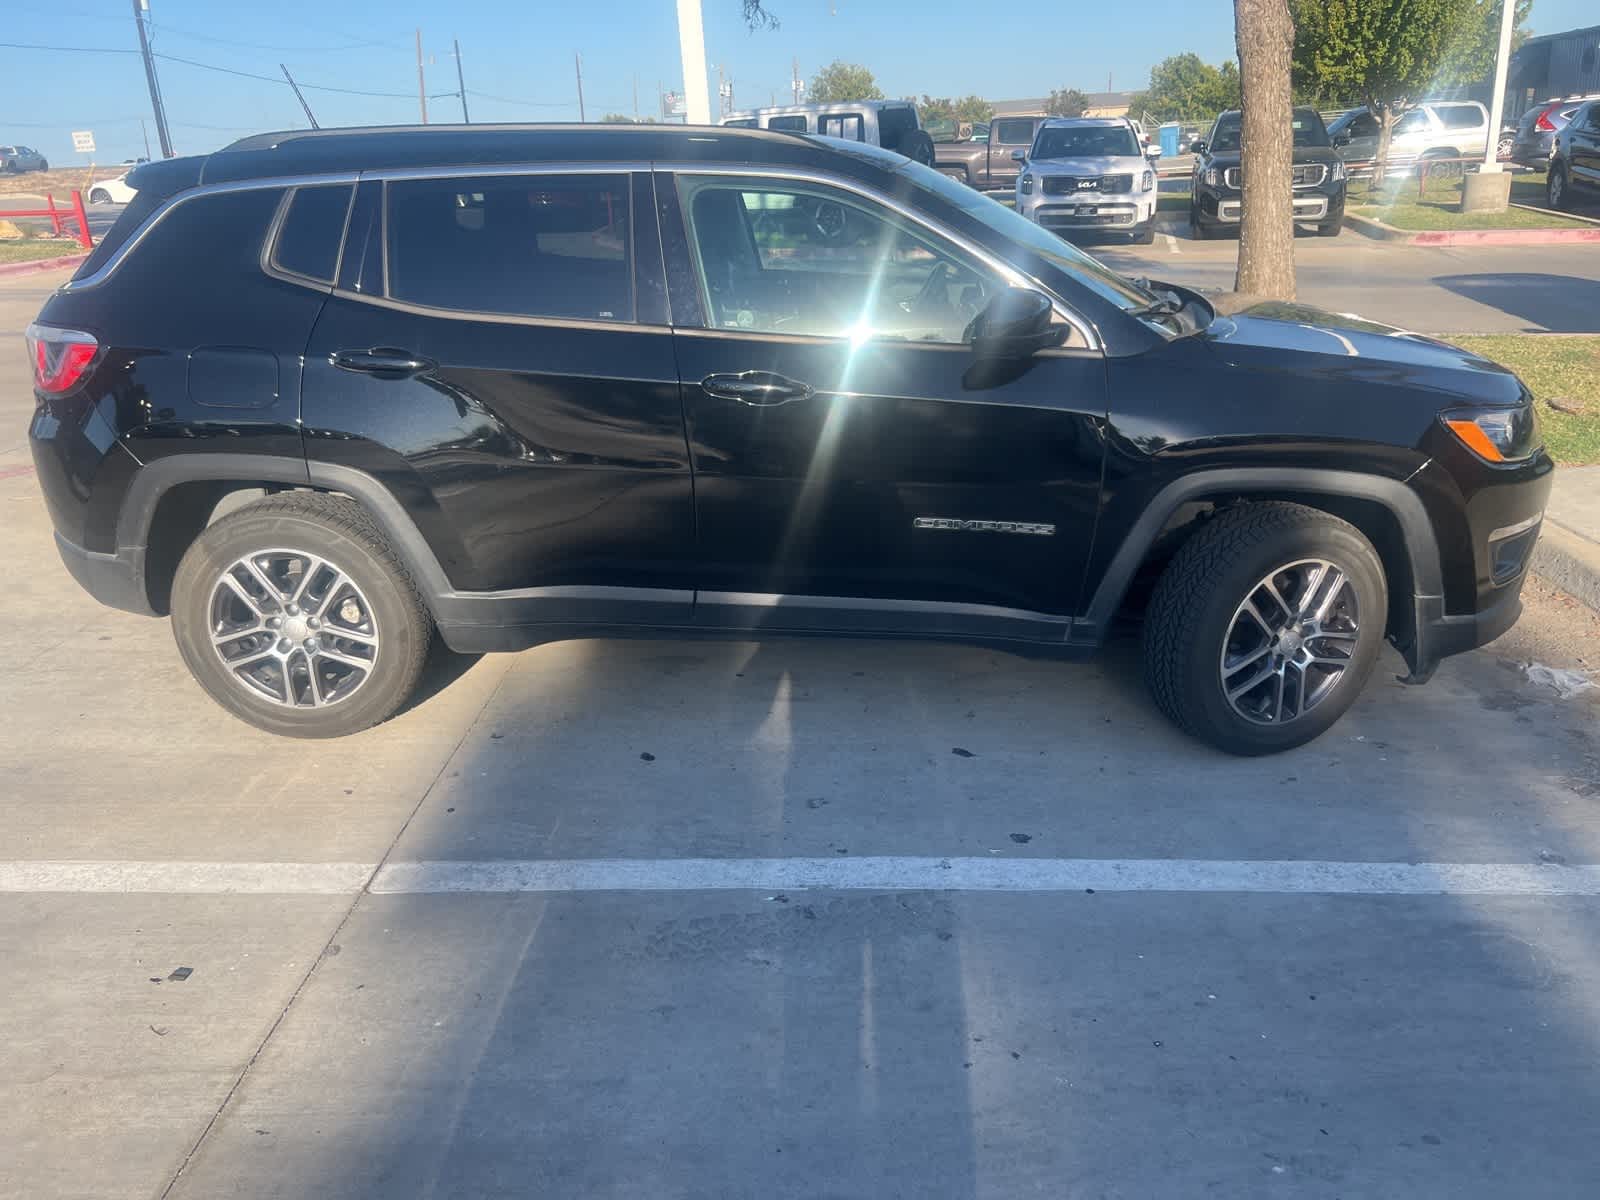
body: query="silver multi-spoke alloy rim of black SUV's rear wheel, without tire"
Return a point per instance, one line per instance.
(294, 628)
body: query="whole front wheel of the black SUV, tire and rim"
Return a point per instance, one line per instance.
(1199, 617)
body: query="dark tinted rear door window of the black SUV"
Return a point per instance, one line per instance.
(526, 246)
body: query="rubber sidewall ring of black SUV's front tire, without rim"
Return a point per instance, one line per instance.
(1212, 714)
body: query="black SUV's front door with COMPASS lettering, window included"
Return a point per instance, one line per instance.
(873, 468)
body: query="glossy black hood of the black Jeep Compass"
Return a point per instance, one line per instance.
(1270, 330)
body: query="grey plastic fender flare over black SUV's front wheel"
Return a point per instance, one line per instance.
(1404, 505)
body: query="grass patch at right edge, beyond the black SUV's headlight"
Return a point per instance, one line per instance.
(1562, 369)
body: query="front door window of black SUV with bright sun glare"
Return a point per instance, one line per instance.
(802, 260)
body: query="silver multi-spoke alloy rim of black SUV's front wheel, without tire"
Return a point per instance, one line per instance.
(1290, 642)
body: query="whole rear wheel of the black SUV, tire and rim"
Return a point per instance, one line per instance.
(375, 604)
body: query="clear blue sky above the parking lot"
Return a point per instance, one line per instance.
(518, 58)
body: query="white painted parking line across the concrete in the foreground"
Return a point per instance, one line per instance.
(801, 874)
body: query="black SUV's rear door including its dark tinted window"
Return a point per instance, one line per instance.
(535, 454)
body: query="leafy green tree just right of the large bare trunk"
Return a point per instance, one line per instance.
(1385, 54)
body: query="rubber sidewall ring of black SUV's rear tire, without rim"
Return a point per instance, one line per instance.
(228, 542)
